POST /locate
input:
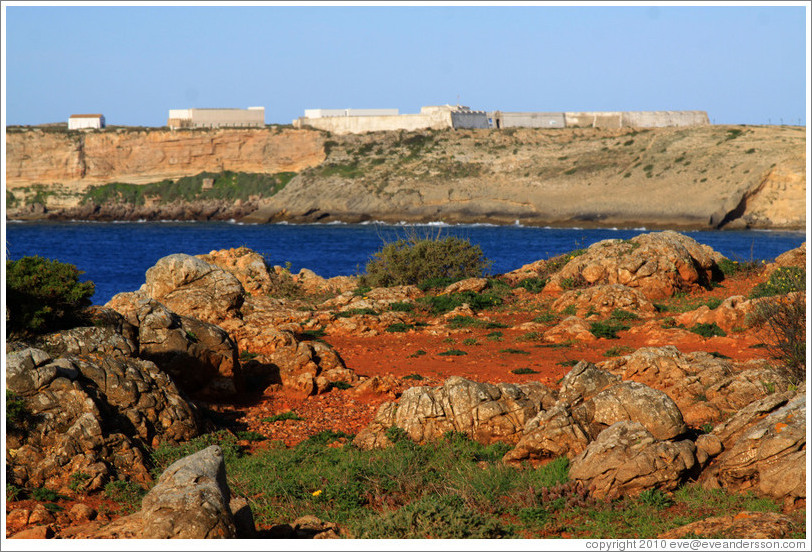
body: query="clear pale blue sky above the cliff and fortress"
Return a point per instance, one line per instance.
(742, 64)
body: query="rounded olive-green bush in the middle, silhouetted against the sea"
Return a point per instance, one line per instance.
(413, 260)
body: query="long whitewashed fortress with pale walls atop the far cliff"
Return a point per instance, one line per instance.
(354, 121)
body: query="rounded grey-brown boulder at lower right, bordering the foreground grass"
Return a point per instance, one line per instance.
(626, 459)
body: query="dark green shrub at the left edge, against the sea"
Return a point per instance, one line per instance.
(44, 294)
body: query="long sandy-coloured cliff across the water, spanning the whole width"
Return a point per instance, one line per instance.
(699, 177)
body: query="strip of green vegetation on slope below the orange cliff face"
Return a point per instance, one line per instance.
(206, 185)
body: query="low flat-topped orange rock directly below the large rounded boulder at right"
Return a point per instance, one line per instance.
(602, 299)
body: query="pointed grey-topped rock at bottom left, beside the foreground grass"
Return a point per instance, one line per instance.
(190, 501)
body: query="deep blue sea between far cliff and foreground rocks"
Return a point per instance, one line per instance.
(115, 256)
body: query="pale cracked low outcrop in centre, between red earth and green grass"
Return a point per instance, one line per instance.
(483, 411)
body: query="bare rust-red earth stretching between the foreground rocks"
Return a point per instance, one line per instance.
(486, 358)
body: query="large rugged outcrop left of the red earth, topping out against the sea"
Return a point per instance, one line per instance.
(195, 288)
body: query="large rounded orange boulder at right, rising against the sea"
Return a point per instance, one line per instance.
(657, 264)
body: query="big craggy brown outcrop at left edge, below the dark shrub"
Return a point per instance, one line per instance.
(90, 413)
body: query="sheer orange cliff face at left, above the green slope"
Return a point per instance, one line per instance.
(79, 159)
